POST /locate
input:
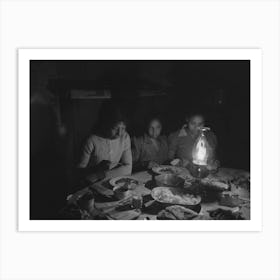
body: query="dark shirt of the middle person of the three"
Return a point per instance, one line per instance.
(144, 149)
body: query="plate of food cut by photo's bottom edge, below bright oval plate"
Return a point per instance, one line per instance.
(176, 212)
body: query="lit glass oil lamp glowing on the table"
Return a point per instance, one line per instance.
(200, 155)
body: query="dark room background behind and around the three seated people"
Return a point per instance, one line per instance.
(220, 89)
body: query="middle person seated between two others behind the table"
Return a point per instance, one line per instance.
(151, 149)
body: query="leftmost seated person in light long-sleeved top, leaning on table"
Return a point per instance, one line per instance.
(107, 153)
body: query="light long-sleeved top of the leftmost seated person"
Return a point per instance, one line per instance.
(117, 151)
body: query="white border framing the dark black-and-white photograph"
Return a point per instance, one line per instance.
(25, 55)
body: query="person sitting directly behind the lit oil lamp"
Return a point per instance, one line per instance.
(182, 141)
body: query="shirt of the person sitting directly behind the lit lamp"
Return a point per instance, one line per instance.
(181, 144)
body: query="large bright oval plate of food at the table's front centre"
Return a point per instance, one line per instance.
(175, 196)
